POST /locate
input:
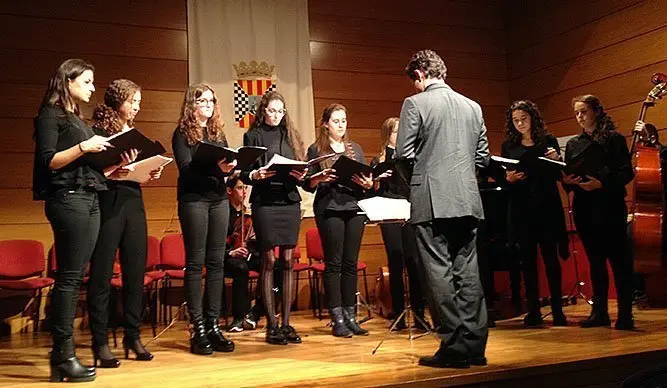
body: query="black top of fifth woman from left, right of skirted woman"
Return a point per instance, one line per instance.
(331, 196)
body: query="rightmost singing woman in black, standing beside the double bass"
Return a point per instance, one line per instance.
(600, 213)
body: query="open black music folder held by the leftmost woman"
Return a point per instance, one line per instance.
(122, 142)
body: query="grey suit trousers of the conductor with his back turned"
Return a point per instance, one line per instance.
(448, 267)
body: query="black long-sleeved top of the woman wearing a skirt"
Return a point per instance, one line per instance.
(270, 191)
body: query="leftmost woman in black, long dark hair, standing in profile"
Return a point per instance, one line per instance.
(63, 179)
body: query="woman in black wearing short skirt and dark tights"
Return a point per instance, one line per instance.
(276, 207)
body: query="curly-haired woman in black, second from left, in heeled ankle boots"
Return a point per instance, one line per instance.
(123, 228)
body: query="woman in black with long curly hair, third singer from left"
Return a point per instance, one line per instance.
(203, 210)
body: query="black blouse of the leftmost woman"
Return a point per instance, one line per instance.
(57, 130)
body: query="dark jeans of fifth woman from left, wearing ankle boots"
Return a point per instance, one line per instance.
(341, 234)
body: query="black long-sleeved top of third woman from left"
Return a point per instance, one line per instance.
(197, 182)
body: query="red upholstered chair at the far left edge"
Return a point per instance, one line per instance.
(22, 264)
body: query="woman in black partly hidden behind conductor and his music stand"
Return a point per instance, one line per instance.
(399, 240)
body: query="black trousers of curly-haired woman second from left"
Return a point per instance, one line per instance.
(123, 227)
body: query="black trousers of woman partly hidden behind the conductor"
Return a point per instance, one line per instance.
(401, 247)
